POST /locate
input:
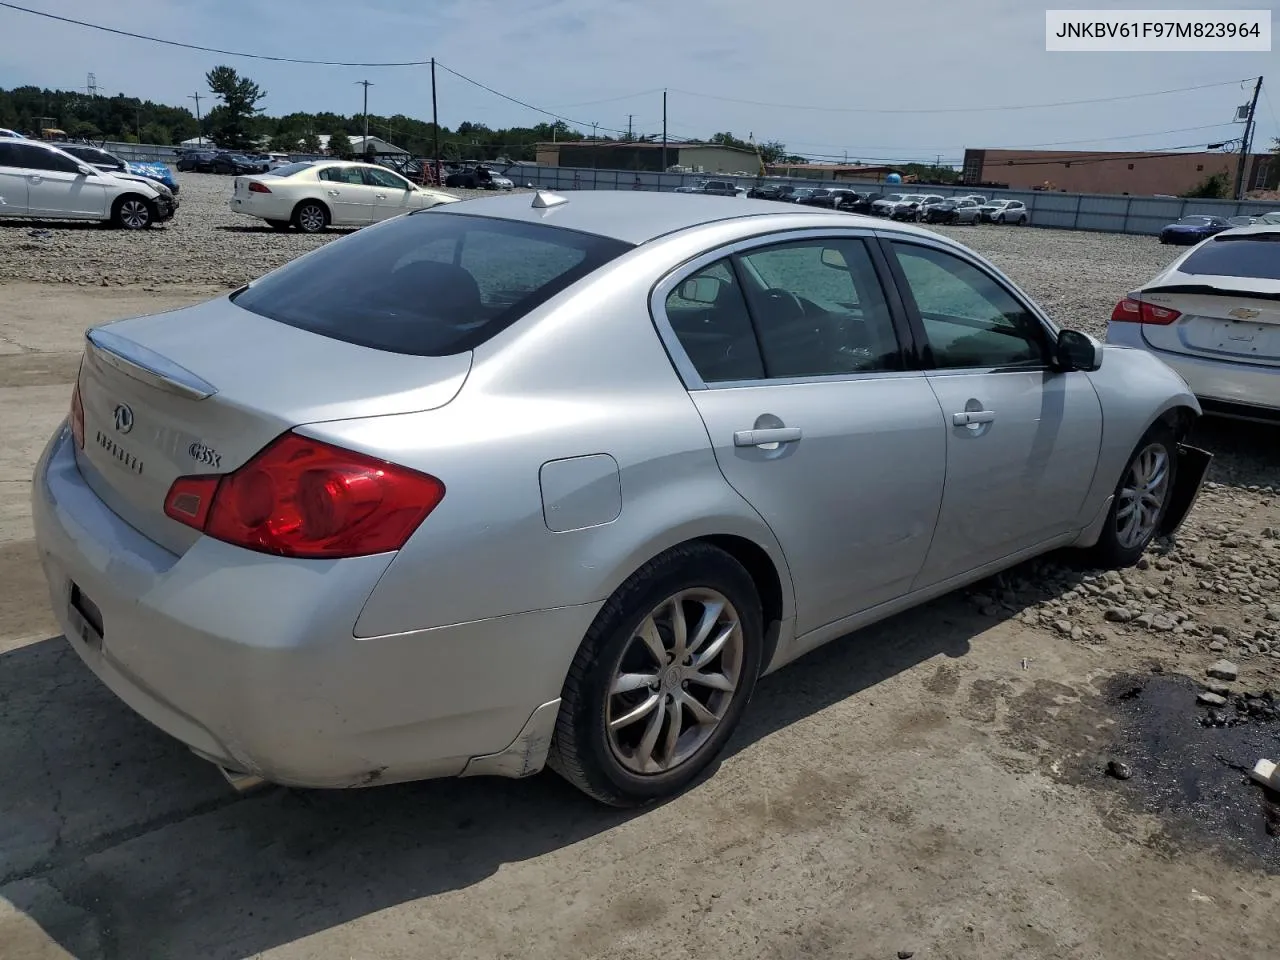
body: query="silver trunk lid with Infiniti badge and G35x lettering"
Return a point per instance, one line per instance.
(203, 390)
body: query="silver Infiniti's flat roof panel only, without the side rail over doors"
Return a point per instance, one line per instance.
(625, 216)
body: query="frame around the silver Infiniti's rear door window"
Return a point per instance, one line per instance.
(733, 252)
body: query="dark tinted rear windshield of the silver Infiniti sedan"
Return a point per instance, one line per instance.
(428, 285)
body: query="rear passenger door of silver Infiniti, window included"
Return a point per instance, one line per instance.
(794, 360)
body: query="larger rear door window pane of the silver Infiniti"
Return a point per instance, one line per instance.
(820, 309)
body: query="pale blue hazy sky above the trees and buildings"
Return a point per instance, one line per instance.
(600, 61)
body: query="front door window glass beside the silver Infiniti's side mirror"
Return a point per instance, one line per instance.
(970, 319)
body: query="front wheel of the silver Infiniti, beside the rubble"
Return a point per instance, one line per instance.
(1141, 500)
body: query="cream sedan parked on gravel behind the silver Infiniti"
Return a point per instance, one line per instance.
(317, 194)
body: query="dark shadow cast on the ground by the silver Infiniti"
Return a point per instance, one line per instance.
(120, 843)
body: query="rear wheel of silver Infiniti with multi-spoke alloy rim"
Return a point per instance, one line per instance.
(661, 679)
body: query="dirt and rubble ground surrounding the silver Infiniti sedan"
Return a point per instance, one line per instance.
(931, 787)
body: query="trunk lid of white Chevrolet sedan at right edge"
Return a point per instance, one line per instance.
(1223, 318)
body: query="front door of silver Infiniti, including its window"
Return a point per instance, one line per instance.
(1023, 440)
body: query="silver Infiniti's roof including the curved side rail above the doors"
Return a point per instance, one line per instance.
(642, 217)
